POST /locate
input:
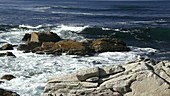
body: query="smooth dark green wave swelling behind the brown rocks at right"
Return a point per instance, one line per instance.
(141, 34)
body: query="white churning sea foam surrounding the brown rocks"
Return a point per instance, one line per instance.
(32, 71)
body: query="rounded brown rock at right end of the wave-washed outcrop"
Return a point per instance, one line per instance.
(109, 45)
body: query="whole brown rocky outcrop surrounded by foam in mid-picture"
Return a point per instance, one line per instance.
(51, 43)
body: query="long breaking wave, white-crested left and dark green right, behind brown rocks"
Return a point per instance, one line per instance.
(66, 31)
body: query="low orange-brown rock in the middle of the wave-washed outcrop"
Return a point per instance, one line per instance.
(69, 47)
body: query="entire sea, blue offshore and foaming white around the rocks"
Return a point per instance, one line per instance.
(143, 25)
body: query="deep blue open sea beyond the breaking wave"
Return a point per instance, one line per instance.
(82, 12)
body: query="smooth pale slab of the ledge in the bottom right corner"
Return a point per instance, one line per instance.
(150, 87)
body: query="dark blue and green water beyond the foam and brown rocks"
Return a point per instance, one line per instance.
(139, 23)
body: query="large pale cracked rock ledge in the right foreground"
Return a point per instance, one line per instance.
(138, 78)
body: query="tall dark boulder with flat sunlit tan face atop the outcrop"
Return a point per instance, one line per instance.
(44, 37)
